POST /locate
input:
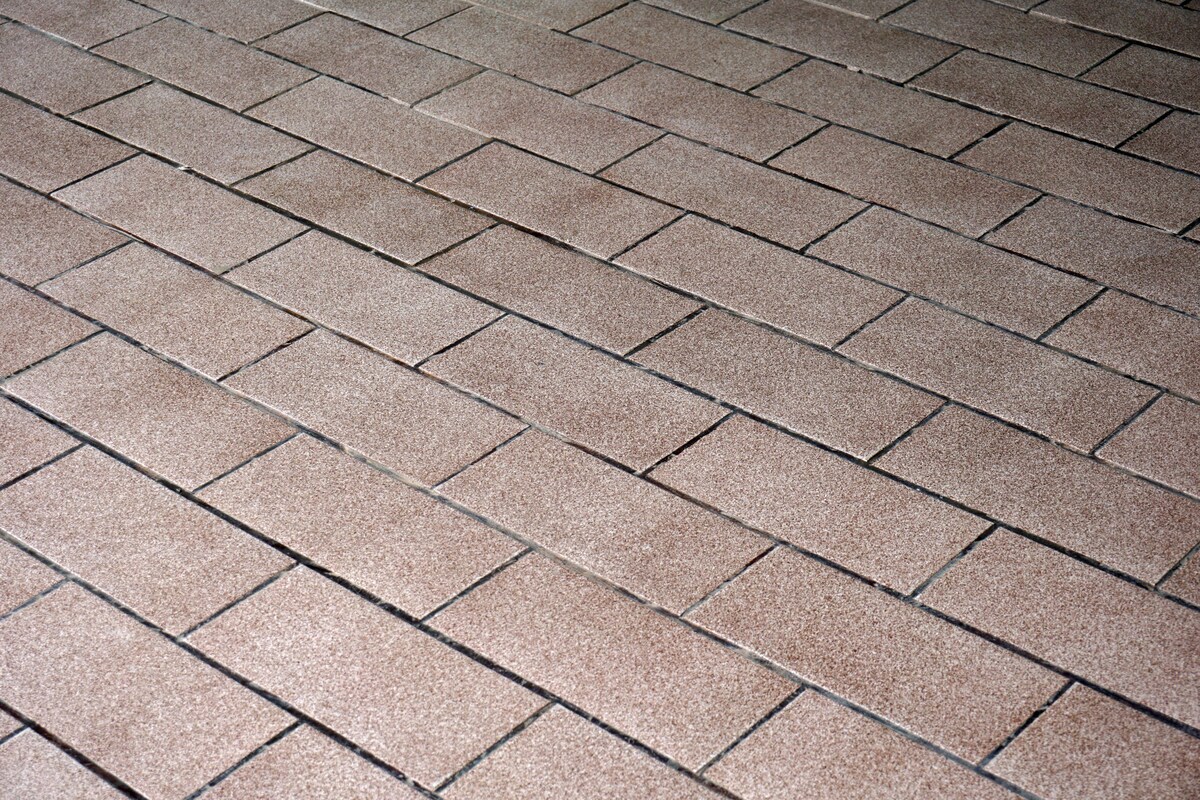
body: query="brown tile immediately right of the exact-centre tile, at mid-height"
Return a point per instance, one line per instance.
(803, 389)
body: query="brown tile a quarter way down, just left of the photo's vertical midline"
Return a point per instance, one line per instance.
(553, 200)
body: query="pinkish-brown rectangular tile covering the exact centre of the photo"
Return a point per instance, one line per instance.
(589, 398)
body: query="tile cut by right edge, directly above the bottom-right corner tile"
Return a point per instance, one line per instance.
(1097, 627)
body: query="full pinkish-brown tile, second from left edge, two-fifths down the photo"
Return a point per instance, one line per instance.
(176, 310)
